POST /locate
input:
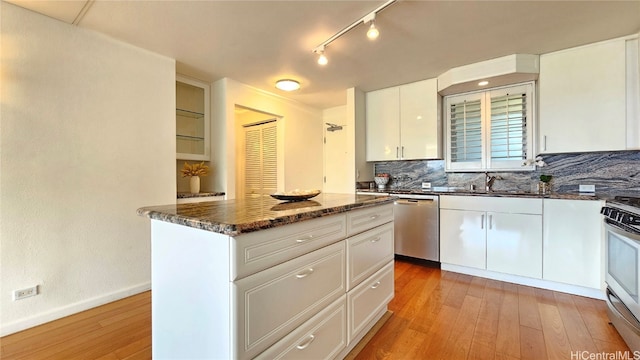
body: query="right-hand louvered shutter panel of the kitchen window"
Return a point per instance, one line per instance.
(510, 117)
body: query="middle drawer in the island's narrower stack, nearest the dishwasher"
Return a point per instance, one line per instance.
(367, 252)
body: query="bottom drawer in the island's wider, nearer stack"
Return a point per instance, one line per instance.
(322, 337)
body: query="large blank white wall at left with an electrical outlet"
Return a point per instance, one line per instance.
(88, 136)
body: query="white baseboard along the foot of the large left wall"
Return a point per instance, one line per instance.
(58, 313)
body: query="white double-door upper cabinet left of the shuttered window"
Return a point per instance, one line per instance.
(403, 122)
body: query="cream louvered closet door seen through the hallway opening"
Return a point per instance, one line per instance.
(260, 163)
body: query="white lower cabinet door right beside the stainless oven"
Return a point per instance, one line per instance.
(573, 242)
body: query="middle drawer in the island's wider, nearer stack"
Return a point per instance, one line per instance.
(272, 303)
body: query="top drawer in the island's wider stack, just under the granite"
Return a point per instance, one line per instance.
(256, 251)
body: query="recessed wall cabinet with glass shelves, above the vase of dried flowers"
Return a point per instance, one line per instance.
(192, 120)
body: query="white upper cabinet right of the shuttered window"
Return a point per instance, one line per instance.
(585, 93)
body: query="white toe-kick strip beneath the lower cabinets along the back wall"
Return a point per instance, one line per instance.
(539, 283)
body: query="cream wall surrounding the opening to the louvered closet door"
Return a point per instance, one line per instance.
(300, 130)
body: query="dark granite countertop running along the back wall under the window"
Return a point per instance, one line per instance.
(497, 193)
